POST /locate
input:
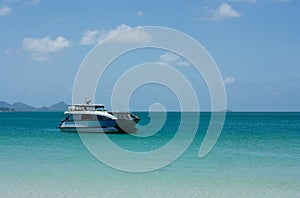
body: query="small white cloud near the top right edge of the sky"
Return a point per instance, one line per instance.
(224, 11)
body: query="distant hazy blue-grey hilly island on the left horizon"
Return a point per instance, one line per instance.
(18, 106)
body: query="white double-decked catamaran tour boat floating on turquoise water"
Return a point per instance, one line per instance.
(94, 118)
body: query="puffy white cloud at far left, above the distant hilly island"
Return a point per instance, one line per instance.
(41, 48)
